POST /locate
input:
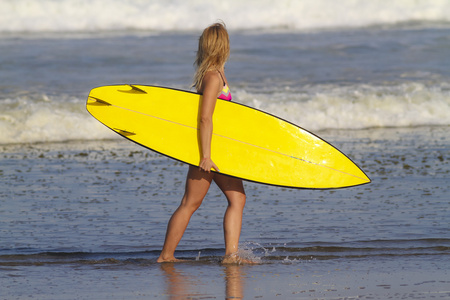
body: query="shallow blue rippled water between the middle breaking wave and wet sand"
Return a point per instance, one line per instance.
(115, 197)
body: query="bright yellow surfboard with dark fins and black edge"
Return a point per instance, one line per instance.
(246, 143)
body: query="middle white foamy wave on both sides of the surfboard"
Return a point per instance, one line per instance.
(53, 119)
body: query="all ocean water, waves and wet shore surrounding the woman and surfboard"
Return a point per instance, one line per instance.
(79, 204)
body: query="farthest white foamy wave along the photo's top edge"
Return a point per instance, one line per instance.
(178, 15)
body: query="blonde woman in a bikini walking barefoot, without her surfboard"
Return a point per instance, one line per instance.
(210, 81)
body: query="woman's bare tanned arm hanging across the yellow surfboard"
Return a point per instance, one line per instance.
(211, 89)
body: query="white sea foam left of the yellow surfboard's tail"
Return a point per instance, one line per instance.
(48, 120)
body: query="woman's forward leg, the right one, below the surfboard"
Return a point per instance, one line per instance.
(233, 189)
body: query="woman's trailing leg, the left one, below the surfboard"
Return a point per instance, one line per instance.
(197, 185)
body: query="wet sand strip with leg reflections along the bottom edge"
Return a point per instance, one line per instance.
(354, 279)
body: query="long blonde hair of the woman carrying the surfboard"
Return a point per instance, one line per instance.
(213, 51)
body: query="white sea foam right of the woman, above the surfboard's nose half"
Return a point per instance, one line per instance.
(359, 106)
